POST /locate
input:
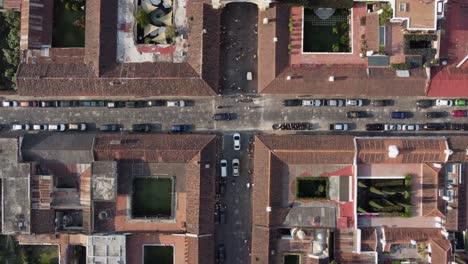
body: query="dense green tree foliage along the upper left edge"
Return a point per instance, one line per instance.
(9, 44)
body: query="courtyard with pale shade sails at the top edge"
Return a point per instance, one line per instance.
(155, 22)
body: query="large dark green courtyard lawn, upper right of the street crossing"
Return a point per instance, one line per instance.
(326, 30)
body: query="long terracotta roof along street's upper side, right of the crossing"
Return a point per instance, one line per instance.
(313, 79)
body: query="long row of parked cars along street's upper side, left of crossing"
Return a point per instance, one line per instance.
(98, 103)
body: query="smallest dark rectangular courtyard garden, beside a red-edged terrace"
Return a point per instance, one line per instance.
(312, 188)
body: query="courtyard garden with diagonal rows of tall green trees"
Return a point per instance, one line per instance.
(385, 197)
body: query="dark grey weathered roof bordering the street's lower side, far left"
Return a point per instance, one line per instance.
(64, 148)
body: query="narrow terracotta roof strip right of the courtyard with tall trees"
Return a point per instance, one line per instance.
(432, 204)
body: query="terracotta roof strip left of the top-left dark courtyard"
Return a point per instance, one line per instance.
(36, 24)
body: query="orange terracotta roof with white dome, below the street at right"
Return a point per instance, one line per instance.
(411, 150)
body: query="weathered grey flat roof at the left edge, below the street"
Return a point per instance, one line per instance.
(16, 197)
